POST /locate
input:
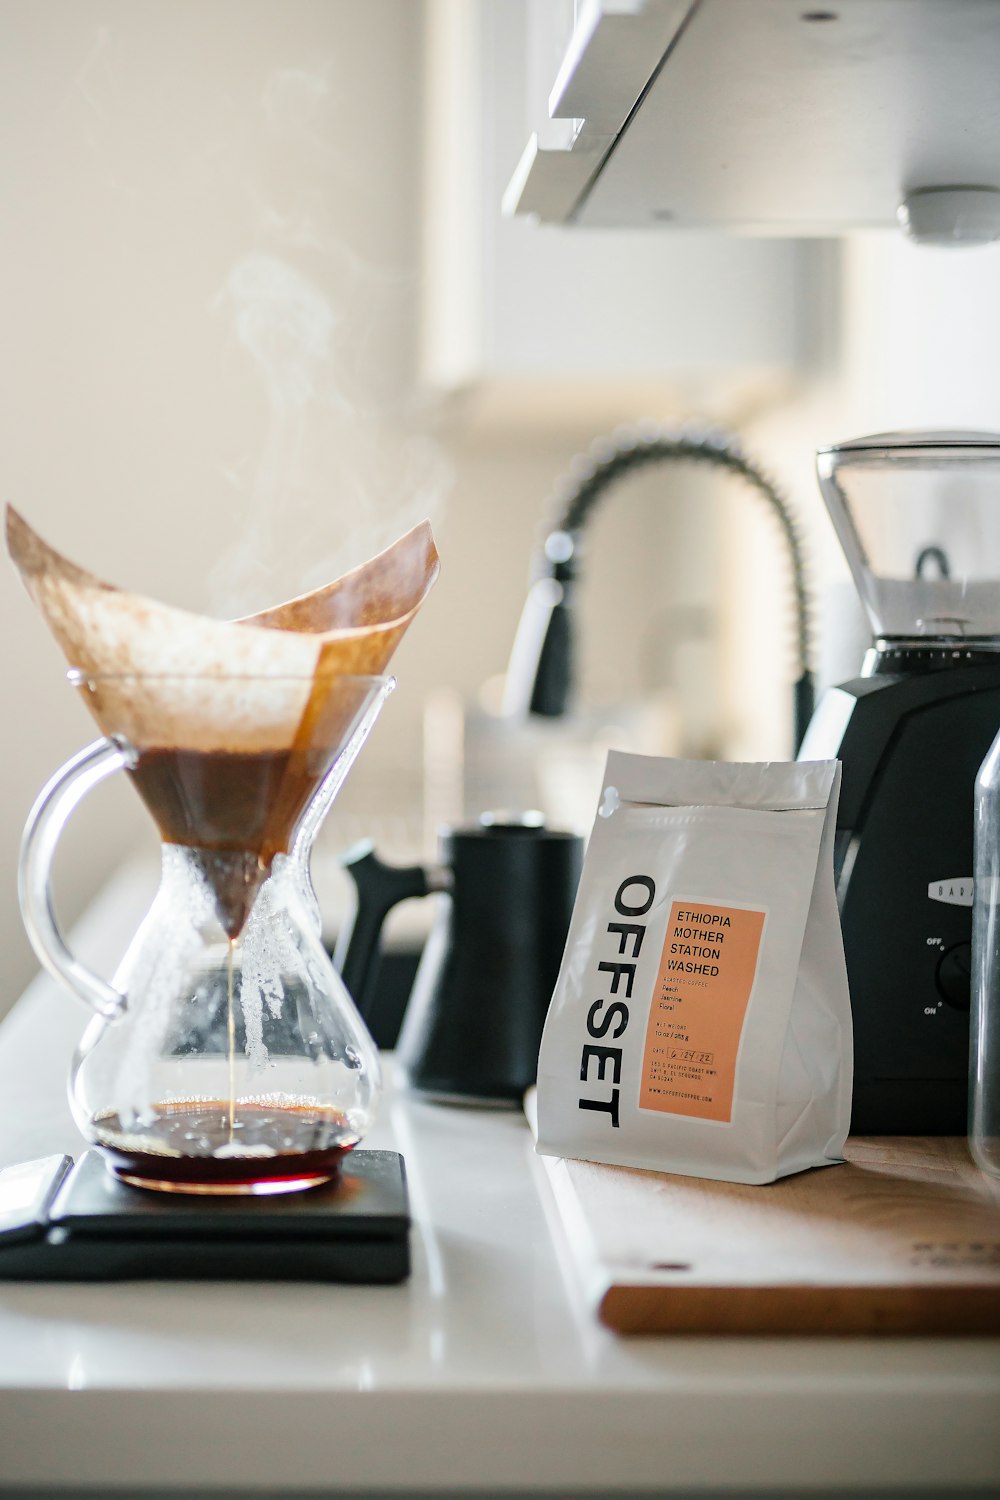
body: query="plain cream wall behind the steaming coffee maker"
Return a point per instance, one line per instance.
(158, 160)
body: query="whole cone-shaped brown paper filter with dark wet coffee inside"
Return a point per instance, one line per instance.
(233, 724)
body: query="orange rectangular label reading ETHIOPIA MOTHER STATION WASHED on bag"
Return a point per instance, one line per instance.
(696, 1019)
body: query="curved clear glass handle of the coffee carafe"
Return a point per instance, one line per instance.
(43, 832)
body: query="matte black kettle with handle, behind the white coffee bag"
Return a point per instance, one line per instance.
(479, 1003)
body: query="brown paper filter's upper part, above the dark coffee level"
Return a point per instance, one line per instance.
(169, 679)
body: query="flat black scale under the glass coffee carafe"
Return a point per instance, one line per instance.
(77, 1223)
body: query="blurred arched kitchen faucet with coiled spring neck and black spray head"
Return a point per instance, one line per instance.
(540, 671)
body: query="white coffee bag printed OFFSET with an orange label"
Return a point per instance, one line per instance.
(701, 1022)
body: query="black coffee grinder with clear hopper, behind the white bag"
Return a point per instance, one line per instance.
(918, 517)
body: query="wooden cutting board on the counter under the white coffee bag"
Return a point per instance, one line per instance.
(905, 1238)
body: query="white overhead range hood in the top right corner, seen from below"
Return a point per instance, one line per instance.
(773, 118)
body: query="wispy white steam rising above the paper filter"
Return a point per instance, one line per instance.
(340, 470)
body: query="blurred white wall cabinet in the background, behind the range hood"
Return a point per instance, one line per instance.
(534, 322)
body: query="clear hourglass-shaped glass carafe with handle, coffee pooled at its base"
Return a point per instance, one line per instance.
(227, 1055)
